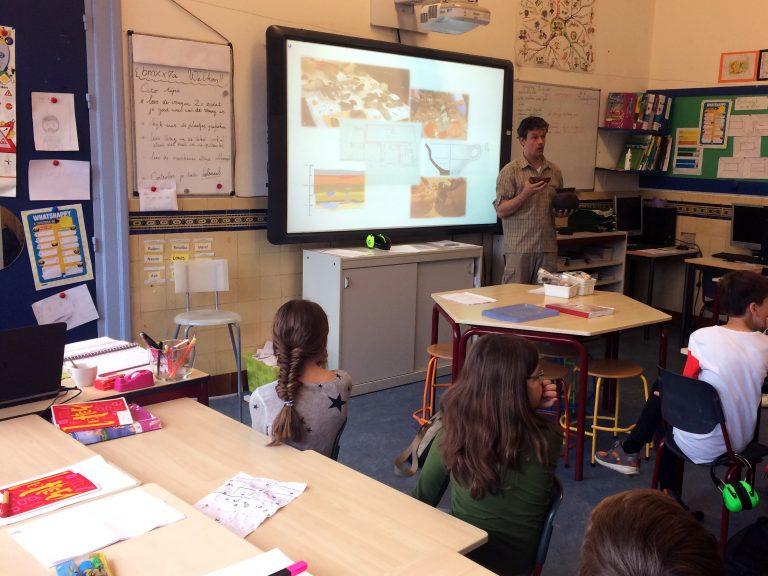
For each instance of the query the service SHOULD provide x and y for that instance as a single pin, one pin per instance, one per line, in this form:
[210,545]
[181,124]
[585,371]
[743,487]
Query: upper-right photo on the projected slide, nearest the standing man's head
[442,114]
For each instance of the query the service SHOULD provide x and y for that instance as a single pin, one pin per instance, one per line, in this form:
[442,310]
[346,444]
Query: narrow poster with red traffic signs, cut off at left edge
[7,111]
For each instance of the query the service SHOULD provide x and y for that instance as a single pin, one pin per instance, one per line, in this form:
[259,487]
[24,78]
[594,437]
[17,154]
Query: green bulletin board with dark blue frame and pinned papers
[735,161]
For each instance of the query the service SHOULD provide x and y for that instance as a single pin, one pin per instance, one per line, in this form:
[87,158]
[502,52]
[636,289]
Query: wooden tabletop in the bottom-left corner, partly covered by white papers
[194,545]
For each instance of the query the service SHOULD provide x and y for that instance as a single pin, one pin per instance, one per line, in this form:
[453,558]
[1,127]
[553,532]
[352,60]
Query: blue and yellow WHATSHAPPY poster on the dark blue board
[58,250]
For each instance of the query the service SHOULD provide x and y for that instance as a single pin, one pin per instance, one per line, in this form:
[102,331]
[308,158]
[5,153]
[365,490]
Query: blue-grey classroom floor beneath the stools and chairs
[380,426]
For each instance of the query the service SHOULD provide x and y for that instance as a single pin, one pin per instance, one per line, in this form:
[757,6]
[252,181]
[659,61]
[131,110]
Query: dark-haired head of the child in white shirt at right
[744,295]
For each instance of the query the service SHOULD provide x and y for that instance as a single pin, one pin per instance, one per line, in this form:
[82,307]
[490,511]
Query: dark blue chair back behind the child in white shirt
[688,404]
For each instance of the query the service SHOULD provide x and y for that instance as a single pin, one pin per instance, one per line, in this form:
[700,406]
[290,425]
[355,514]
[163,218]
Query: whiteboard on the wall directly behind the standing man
[572,114]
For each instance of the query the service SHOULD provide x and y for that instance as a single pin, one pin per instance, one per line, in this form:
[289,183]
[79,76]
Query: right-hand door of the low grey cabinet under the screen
[437,277]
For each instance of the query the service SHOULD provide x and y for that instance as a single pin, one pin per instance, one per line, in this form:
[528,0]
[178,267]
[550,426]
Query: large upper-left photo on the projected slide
[332,91]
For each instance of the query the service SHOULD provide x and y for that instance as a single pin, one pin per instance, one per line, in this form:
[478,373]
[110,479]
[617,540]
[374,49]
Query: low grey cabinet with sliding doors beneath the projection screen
[379,306]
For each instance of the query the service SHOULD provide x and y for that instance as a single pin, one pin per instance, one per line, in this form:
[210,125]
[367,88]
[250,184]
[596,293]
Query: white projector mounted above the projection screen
[445,16]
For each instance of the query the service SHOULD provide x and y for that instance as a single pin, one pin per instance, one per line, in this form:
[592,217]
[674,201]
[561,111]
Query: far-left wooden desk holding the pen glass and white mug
[196,386]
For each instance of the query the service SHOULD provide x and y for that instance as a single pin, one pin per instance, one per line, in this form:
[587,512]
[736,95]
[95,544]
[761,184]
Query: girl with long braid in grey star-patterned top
[307,405]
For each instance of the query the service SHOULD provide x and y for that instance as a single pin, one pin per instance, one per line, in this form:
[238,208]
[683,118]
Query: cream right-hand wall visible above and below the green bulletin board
[687,40]
